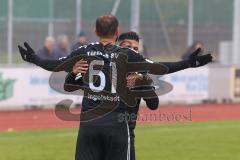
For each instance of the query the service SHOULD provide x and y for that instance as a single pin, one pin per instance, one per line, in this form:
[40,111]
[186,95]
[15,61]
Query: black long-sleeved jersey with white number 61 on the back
[109,54]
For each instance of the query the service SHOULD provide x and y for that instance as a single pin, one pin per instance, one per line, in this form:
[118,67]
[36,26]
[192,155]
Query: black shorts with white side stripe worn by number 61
[103,142]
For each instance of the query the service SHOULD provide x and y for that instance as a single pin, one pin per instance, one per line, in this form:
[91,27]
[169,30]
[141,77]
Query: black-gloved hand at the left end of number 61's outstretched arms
[27,53]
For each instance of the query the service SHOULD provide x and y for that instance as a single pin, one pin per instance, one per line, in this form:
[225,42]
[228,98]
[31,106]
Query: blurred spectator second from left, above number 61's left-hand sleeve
[62,47]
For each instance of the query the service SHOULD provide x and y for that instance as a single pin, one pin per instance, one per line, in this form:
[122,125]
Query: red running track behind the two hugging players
[40,119]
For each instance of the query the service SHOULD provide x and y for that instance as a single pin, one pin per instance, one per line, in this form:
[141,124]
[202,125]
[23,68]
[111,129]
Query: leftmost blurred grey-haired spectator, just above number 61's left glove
[47,51]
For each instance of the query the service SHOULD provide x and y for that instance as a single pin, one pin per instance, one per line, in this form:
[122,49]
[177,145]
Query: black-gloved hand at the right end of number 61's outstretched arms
[196,60]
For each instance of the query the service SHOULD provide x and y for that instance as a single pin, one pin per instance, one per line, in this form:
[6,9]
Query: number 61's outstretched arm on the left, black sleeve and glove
[30,56]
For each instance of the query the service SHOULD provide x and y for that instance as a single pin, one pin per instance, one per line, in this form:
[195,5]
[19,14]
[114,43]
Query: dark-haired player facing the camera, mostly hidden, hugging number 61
[129,40]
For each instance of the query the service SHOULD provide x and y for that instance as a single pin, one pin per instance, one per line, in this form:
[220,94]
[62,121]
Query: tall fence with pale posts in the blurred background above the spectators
[164,24]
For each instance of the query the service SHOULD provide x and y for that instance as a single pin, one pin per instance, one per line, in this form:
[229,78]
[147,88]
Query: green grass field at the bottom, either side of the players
[183,141]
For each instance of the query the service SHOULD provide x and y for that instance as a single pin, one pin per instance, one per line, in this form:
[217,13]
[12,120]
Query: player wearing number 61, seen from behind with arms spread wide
[105,138]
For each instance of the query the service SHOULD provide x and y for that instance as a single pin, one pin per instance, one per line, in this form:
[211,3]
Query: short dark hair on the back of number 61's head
[106,25]
